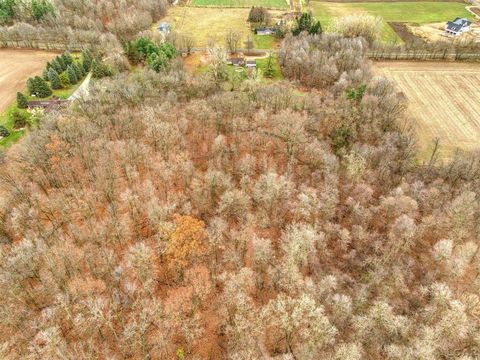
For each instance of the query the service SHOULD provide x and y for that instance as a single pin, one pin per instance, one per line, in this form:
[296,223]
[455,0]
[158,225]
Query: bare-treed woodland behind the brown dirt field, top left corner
[67,24]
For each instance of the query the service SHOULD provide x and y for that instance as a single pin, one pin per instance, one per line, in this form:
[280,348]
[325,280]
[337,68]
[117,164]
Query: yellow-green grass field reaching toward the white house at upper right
[421,12]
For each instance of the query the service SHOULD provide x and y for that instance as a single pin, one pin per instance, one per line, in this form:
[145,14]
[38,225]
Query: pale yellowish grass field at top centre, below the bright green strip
[210,23]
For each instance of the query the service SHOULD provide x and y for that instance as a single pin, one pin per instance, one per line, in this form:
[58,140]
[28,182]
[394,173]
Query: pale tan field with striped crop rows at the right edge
[444,101]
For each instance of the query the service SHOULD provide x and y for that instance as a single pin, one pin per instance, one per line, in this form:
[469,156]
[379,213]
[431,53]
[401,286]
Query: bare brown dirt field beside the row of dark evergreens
[16,66]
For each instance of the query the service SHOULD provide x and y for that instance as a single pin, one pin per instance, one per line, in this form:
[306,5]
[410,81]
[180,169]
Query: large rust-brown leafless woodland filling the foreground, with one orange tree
[172,216]
